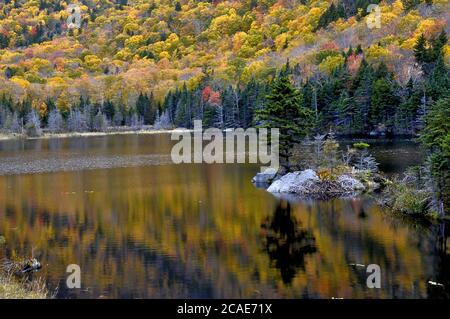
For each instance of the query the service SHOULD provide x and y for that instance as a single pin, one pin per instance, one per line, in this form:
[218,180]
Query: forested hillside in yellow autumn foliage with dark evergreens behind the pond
[142,61]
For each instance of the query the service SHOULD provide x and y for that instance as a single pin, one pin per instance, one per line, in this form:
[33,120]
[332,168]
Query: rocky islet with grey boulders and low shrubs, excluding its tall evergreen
[331,173]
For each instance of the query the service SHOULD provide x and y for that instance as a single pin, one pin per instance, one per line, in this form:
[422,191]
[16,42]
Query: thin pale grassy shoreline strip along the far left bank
[15,136]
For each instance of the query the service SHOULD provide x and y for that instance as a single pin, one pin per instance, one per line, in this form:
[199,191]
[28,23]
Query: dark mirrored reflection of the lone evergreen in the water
[286,242]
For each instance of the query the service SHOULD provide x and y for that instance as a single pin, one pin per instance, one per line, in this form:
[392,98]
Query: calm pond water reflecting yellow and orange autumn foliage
[141,227]
